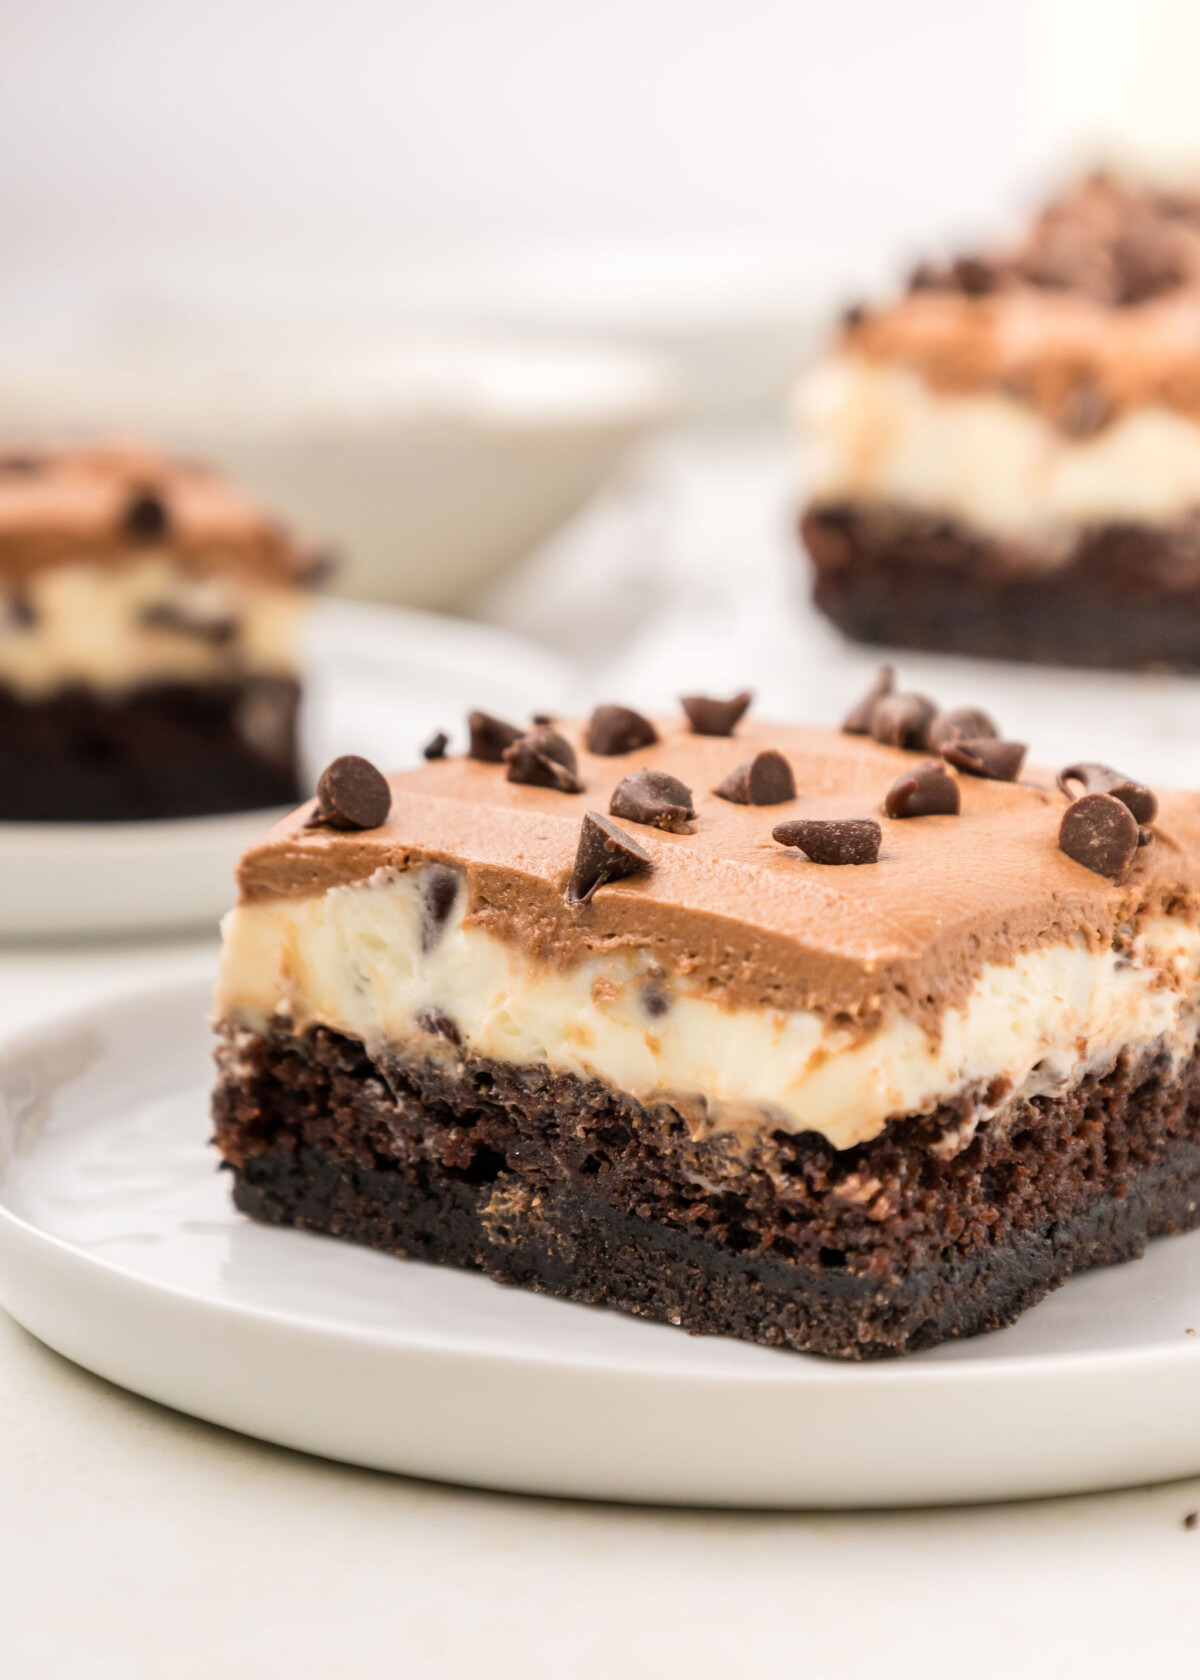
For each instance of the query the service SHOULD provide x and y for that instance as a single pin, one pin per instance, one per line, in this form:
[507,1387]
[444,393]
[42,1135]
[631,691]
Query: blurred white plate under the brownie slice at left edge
[379,681]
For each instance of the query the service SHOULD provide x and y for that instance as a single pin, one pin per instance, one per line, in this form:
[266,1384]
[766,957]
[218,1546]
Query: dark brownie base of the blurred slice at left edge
[172,750]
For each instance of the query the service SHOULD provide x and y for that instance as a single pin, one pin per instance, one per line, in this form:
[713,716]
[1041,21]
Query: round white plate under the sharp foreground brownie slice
[120,1247]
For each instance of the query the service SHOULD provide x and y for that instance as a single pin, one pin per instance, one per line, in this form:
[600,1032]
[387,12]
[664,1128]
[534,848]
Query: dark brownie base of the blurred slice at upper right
[1127,596]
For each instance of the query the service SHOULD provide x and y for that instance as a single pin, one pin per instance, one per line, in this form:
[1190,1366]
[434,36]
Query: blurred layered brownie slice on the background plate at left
[149,622]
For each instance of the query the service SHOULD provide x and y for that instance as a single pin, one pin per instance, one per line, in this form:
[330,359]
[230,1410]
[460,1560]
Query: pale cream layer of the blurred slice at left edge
[115,627]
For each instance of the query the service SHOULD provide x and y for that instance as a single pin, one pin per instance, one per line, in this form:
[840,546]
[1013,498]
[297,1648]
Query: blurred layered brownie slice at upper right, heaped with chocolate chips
[1006,461]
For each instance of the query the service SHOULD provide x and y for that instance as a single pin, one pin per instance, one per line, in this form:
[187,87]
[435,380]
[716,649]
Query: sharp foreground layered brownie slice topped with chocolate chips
[836,1042]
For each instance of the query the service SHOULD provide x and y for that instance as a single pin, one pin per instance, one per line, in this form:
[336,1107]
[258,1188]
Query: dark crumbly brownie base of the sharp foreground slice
[564,1187]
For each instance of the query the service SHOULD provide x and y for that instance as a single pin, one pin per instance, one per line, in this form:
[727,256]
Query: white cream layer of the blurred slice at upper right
[878,433]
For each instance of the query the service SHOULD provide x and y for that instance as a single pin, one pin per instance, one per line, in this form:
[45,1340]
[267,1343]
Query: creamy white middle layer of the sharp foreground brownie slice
[354,960]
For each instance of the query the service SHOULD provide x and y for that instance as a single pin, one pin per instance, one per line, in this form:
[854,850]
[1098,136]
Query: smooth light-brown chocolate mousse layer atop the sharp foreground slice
[727,905]
